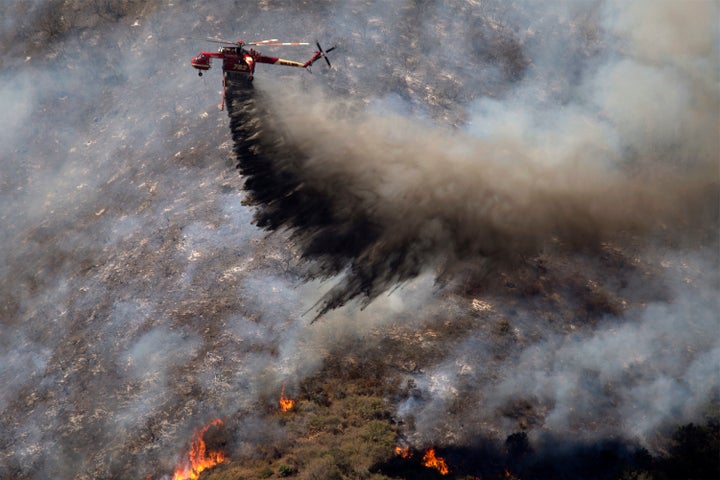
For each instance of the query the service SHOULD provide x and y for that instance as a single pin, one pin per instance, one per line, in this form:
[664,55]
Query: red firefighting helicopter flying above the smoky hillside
[237,59]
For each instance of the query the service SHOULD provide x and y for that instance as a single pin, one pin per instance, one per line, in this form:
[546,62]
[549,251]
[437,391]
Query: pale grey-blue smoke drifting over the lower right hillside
[654,366]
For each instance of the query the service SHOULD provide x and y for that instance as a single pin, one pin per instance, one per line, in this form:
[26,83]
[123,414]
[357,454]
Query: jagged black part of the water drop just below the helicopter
[268,162]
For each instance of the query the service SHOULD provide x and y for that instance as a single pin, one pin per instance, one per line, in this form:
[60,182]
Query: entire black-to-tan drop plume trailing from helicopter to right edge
[383,199]
